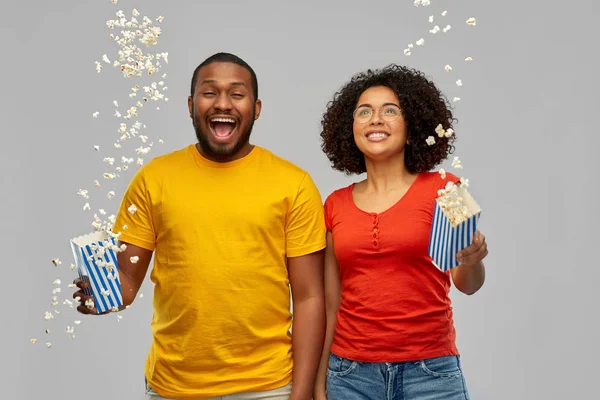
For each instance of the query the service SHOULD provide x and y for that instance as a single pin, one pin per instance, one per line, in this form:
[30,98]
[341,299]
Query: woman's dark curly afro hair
[423,106]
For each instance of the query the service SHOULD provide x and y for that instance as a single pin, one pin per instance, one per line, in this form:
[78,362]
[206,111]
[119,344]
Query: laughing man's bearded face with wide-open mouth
[223,111]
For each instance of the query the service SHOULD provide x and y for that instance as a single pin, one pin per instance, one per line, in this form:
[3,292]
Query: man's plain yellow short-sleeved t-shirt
[221,233]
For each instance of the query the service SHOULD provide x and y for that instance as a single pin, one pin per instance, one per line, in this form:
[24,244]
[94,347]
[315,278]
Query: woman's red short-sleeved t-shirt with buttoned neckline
[395,305]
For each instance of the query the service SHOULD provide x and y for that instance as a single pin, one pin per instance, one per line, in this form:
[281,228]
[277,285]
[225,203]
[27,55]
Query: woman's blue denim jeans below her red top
[438,378]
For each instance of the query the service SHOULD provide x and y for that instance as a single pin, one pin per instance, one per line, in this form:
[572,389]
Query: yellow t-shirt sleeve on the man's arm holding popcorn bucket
[134,218]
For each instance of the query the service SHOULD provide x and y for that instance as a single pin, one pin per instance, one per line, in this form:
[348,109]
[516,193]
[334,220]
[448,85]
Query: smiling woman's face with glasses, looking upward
[379,126]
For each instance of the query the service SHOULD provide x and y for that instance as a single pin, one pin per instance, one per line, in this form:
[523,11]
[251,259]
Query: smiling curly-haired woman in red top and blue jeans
[390,331]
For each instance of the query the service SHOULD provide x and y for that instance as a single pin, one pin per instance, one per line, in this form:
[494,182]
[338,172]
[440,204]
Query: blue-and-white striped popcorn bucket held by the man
[96,264]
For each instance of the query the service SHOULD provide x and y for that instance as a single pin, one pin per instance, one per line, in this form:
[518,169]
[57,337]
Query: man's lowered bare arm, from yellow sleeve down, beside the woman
[308,327]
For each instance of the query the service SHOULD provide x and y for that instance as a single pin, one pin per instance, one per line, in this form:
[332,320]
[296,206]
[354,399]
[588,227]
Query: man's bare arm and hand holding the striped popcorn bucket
[131,276]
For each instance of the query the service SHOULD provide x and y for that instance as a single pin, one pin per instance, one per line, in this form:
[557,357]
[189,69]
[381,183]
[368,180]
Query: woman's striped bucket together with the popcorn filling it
[455,220]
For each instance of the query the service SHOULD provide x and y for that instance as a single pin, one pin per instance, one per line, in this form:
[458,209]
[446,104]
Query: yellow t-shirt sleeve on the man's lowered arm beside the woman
[304,227]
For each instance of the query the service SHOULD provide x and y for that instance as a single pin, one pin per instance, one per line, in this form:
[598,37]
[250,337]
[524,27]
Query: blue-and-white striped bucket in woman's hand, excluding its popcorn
[446,239]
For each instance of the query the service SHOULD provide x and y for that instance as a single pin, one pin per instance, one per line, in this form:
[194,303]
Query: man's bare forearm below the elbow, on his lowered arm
[308,331]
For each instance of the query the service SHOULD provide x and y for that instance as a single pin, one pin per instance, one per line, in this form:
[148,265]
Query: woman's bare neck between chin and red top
[387,175]
